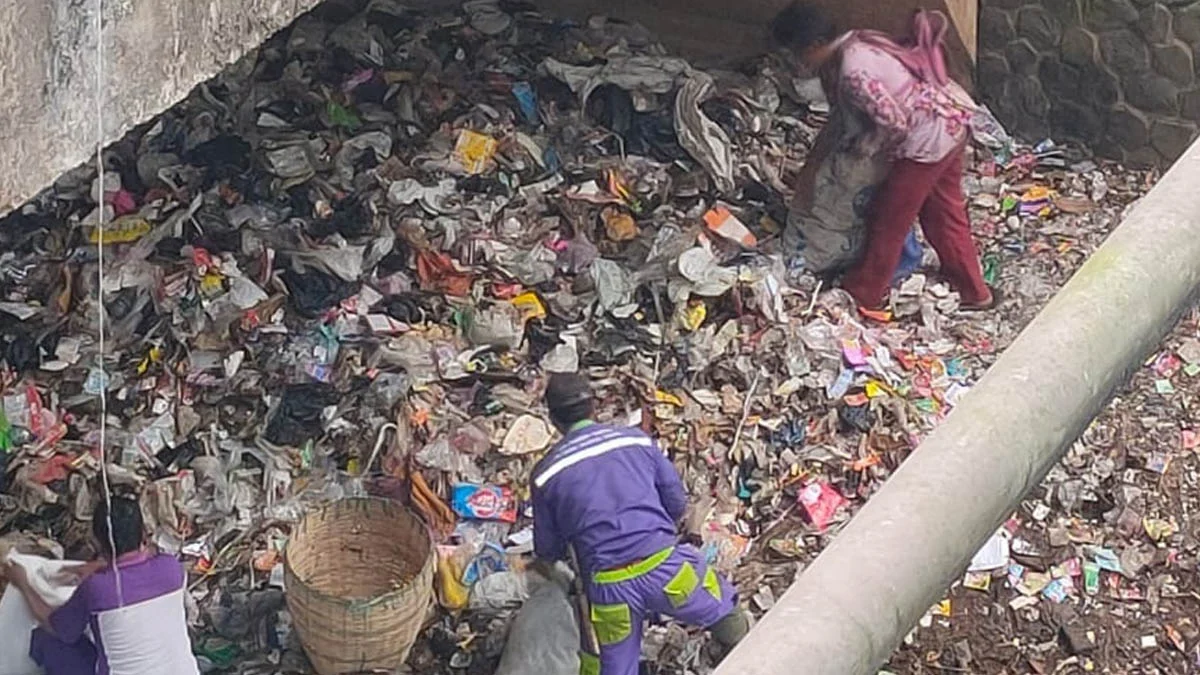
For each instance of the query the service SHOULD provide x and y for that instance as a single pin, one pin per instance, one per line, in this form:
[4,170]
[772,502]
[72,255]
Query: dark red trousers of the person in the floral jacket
[934,193]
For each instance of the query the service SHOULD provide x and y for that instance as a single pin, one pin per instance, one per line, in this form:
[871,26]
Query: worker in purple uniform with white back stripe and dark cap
[614,499]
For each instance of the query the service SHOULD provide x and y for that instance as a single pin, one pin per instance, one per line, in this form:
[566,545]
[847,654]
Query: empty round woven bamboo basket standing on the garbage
[359,576]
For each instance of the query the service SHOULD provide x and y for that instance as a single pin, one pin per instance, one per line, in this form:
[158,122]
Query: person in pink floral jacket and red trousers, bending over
[921,118]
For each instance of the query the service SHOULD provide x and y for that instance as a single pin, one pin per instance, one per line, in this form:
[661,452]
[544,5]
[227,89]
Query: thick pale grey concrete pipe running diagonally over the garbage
[849,612]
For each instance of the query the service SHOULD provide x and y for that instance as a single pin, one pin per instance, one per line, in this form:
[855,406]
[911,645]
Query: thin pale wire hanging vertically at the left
[100,295]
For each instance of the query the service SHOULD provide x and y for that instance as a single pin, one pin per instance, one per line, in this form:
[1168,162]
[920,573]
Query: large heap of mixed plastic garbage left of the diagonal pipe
[349,264]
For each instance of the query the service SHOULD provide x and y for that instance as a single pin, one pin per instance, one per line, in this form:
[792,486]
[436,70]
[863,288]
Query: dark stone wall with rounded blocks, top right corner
[1117,75]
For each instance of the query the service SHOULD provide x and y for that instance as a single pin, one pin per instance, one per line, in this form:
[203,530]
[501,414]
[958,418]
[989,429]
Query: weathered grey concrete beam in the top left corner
[155,51]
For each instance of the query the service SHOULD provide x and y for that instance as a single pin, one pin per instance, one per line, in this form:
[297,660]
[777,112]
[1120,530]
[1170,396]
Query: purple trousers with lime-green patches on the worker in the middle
[674,583]
